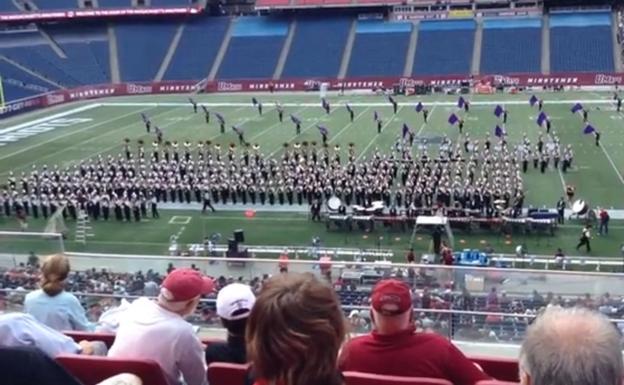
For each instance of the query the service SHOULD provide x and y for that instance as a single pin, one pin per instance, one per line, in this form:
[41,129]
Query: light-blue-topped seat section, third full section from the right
[444,47]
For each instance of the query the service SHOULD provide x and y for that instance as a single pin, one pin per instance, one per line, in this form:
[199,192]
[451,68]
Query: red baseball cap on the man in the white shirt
[185,284]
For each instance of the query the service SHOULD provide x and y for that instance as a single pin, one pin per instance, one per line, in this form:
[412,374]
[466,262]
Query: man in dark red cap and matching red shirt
[395,348]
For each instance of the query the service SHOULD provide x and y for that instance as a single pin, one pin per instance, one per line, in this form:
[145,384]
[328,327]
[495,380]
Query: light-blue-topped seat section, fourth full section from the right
[379,49]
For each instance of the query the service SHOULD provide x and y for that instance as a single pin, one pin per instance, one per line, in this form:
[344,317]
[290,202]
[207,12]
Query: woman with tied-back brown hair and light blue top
[52,305]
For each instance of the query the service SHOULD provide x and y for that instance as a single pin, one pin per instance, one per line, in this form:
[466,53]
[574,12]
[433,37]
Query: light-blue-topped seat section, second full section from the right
[511,46]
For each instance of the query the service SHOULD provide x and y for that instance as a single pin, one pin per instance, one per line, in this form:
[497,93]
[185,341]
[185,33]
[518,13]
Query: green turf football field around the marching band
[99,127]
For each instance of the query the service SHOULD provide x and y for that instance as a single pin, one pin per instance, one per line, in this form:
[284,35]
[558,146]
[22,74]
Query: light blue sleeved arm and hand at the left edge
[22,330]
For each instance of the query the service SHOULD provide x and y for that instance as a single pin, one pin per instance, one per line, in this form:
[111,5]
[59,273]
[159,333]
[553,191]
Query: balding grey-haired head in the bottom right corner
[571,347]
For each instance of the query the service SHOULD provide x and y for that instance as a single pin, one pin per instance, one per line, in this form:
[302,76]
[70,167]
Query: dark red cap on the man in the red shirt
[391,297]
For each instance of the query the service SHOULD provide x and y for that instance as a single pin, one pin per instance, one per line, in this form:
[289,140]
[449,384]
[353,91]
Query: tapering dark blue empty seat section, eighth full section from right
[142,48]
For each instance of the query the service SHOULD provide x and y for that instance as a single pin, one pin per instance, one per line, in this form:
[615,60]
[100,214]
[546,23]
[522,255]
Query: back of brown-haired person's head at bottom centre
[295,331]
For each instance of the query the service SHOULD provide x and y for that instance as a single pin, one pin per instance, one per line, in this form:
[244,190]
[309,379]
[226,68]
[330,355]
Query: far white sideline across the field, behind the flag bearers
[360,104]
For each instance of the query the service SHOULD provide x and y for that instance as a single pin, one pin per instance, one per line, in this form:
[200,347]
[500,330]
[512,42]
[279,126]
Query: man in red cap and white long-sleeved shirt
[157,330]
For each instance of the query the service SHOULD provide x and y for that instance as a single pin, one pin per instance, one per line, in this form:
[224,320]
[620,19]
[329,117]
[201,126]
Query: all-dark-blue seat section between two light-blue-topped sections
[317,47]
